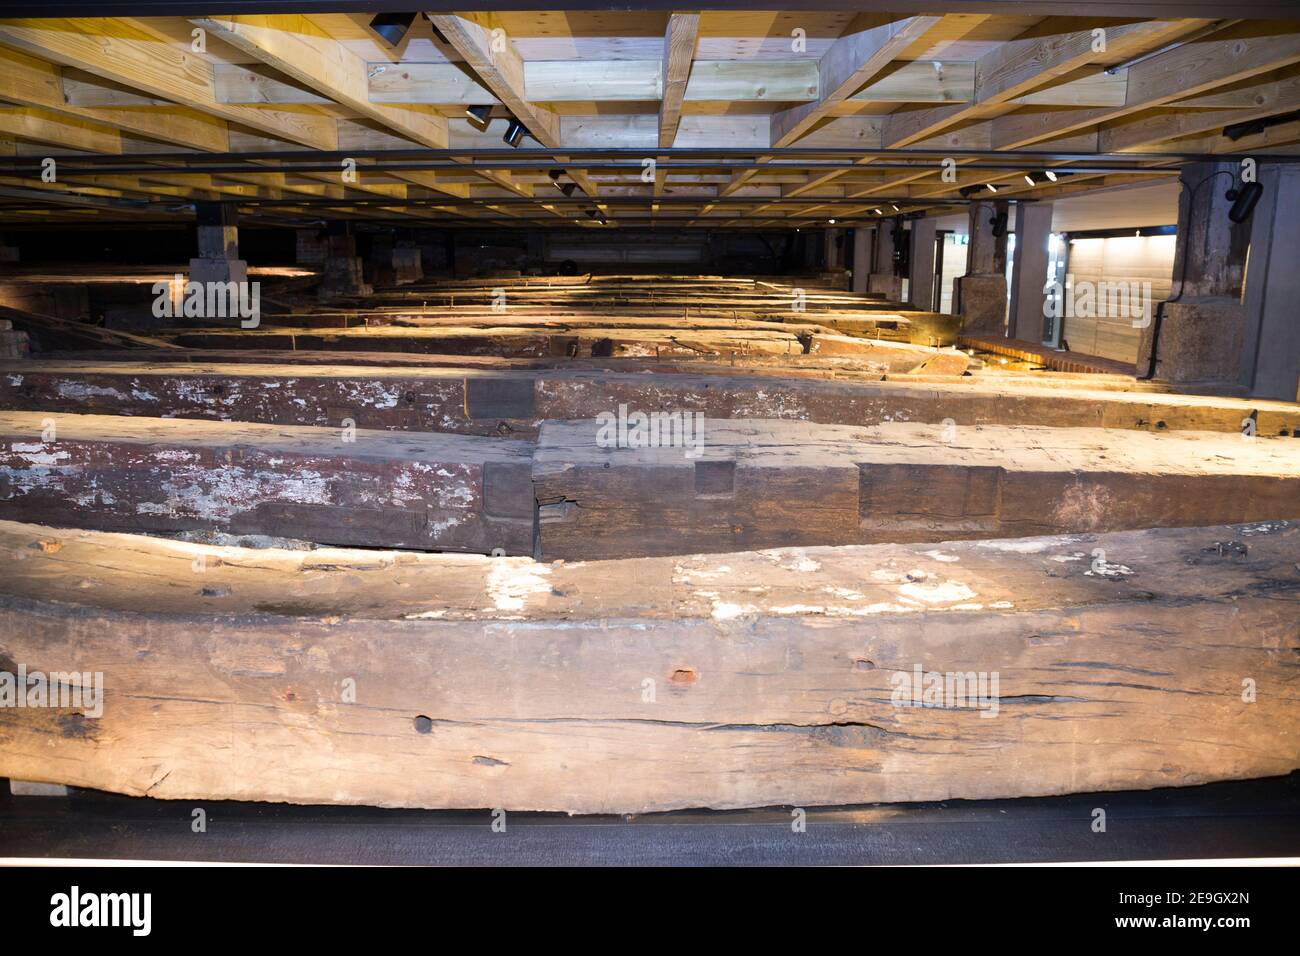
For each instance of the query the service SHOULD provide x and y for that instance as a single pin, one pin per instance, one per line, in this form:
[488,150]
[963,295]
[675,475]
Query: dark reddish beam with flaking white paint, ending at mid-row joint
[335,486]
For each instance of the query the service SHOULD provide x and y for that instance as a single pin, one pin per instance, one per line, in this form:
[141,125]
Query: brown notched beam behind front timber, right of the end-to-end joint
[721,486]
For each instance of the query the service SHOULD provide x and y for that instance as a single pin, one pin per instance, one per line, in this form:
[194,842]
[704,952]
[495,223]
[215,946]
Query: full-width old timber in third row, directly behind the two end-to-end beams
[483,401]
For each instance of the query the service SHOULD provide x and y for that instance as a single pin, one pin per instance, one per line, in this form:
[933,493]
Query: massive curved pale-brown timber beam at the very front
[653,685]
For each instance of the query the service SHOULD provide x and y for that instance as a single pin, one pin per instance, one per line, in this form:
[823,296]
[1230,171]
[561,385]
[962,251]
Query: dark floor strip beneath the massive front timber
[1256,819]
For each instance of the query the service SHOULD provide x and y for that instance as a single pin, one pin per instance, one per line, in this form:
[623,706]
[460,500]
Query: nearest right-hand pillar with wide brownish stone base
[1199,335]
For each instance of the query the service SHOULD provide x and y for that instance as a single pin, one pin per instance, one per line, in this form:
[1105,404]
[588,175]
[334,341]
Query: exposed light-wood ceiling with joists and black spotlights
[141,119]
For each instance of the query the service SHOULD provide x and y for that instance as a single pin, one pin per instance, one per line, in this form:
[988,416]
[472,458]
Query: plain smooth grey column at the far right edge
[1271,345]
